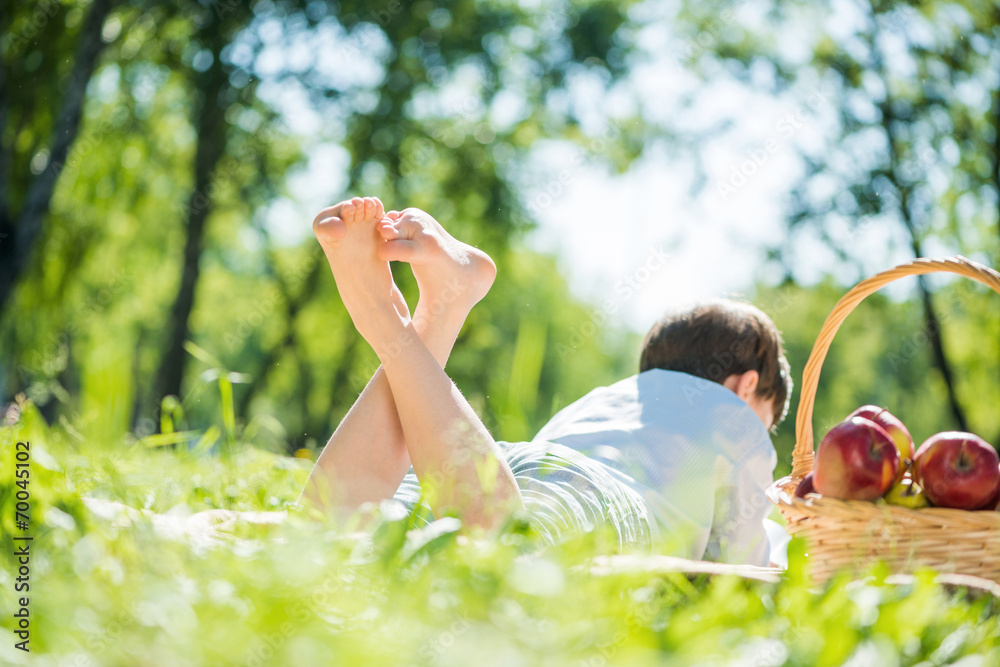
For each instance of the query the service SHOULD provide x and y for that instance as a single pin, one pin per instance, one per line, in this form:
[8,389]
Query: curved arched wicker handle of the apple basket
[802,455]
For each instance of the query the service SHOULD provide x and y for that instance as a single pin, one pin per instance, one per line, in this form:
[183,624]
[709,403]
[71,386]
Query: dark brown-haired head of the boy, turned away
[729,342]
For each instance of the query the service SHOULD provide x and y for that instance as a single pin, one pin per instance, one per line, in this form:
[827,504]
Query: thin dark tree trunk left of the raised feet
[211,130]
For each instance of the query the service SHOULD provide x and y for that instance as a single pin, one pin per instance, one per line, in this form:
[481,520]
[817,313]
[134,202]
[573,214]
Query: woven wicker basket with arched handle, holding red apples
[851,534]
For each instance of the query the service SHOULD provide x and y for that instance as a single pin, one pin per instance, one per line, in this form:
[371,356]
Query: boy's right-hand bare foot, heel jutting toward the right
[451,275]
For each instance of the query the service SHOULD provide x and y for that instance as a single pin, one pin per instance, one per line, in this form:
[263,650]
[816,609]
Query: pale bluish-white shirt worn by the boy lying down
[699,457]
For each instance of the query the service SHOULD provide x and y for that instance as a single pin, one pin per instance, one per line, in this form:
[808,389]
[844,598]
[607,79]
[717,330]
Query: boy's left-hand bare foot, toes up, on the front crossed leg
[349,238]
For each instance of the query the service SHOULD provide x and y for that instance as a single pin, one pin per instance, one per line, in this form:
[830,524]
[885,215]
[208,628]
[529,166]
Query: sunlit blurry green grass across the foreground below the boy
[308,593]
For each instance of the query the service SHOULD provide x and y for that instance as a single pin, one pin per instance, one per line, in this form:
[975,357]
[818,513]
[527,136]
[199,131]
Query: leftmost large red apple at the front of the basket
[857,460]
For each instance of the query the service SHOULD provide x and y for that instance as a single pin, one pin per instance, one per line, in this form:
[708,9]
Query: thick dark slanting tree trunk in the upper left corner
[18,240]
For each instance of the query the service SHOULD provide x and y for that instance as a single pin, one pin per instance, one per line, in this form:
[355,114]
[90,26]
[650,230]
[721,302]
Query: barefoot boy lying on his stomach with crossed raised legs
[677,456]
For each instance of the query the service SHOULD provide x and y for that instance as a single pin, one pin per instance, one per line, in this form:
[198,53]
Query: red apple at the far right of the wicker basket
[958,470]
